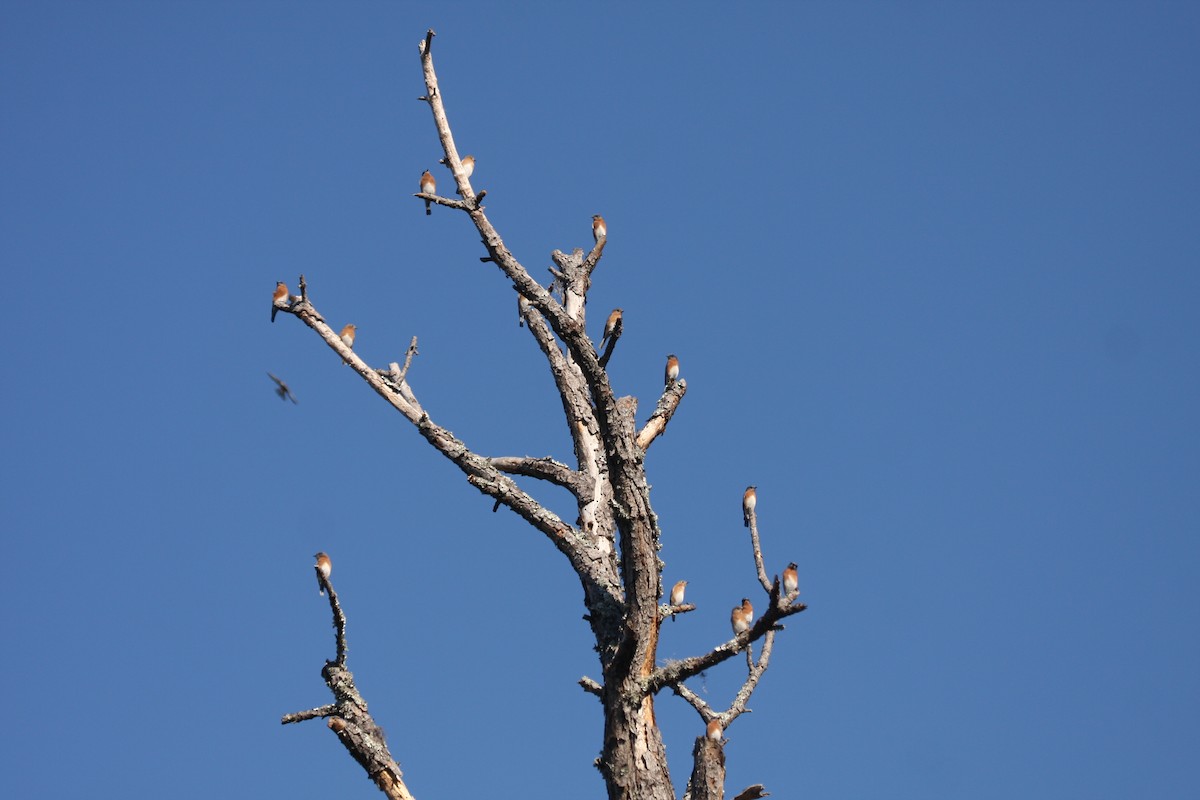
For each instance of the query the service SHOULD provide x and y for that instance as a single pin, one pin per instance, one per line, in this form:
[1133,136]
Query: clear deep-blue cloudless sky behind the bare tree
[932,272]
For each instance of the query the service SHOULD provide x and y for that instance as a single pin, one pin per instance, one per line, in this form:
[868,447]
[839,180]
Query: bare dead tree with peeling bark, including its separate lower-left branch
[613,545]
